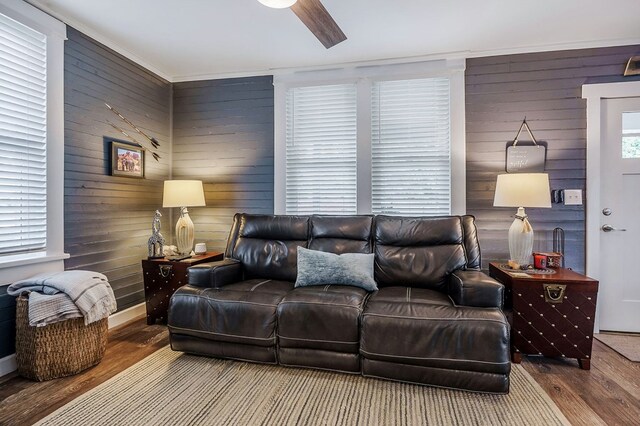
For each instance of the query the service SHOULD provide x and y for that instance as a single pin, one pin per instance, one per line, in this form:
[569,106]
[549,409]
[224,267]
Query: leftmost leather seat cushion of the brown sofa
[244,312]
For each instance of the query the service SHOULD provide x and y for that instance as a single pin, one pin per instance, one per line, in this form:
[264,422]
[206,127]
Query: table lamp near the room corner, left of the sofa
[183,194]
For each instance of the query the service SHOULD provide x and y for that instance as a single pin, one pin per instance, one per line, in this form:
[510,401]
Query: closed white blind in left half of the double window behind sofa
[321,150]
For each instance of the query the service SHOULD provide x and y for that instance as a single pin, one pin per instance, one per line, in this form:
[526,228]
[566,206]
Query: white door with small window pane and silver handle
[619,291]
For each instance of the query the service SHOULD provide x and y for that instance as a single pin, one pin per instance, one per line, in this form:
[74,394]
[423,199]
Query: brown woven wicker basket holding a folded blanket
[59,349]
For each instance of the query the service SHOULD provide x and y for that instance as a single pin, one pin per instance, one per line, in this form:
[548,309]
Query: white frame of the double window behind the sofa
[363,76]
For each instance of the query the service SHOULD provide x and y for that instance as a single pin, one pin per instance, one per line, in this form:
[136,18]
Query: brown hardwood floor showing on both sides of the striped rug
[608,394]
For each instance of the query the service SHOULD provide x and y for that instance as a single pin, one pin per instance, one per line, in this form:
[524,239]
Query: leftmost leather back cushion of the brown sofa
[267,245]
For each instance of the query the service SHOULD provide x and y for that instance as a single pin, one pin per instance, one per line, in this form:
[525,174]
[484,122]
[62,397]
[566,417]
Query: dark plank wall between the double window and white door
[547,89]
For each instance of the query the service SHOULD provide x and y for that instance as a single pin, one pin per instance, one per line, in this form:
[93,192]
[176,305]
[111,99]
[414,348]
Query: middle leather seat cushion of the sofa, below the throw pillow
[321,317]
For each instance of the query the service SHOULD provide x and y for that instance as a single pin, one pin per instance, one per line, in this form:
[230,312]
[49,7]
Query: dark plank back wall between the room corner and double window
[223,135]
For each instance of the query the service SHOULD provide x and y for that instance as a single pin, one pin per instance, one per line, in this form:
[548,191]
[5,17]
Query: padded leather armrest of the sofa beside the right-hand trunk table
[475,288]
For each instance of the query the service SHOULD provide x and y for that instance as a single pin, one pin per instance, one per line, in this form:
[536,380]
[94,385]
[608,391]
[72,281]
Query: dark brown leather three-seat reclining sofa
[435,320]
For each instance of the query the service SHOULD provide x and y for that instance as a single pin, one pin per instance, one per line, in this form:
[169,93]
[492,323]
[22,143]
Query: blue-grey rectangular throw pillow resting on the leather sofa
[322,268]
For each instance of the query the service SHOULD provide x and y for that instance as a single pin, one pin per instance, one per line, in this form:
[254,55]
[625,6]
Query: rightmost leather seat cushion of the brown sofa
[422,327]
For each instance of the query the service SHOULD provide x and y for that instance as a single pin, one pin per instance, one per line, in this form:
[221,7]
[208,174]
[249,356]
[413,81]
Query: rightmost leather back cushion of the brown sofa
[418,251]
